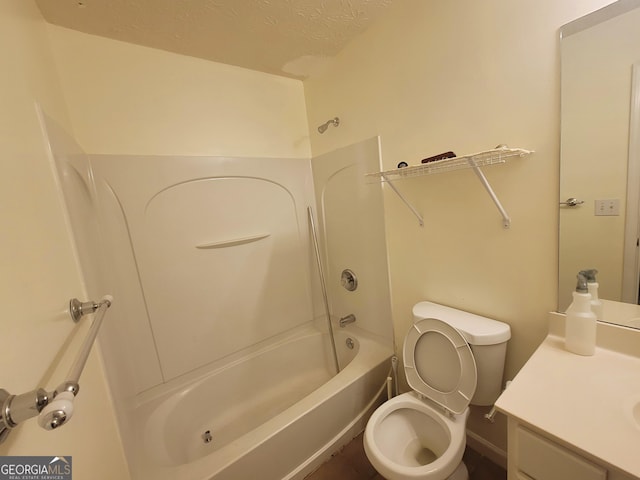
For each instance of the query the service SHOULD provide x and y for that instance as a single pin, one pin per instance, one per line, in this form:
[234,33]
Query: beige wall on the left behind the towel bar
[39,273]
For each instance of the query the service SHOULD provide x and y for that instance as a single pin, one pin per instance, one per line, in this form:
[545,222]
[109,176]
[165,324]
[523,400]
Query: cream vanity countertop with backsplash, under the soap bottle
[584,402]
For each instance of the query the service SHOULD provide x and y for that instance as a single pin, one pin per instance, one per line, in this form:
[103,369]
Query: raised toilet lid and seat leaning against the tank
[439,364]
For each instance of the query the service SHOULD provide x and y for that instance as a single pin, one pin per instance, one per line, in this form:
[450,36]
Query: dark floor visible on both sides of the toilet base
[351,464]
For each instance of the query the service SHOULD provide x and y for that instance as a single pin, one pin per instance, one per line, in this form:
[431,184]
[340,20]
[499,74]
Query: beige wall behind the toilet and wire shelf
[464,76]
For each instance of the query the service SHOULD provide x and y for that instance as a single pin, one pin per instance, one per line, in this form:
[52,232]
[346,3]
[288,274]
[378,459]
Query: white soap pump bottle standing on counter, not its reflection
[580,328]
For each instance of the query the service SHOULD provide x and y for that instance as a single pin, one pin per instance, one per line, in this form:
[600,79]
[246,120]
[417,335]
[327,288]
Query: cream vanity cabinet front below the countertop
[534,456]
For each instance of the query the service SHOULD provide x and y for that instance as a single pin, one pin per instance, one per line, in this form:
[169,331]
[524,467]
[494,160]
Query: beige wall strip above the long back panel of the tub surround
[127,99]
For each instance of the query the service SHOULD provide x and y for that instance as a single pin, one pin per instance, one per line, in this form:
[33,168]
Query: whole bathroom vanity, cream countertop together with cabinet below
[573,417]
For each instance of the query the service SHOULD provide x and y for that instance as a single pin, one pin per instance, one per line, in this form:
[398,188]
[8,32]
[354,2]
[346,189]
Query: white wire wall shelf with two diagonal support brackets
[474,161]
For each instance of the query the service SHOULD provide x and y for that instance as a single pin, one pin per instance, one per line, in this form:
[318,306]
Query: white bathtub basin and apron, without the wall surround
[275,414]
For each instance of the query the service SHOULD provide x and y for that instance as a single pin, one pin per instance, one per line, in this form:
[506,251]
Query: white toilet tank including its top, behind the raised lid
[487,339]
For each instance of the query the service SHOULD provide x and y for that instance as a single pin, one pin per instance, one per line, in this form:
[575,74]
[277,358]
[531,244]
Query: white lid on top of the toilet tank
[477,330]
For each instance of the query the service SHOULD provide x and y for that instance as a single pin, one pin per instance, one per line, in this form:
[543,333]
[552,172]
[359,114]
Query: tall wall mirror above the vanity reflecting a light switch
[600,157]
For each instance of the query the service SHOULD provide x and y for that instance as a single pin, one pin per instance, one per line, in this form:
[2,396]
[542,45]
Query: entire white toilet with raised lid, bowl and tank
[451,359]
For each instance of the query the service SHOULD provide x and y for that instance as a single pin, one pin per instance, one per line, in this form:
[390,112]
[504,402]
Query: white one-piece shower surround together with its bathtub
[218,353]
